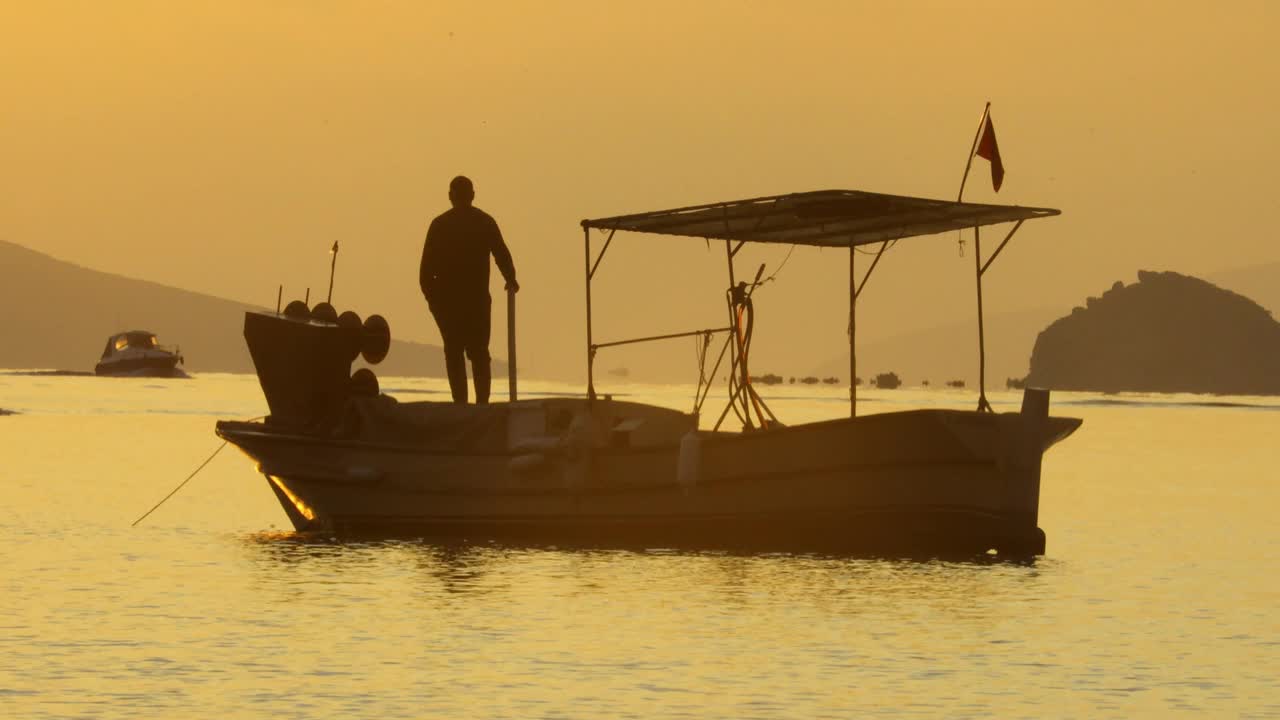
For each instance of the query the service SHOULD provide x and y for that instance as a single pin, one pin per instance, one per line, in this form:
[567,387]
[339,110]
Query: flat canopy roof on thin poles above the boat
[826,218]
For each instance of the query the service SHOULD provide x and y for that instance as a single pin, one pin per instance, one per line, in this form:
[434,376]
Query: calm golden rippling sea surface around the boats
[1159,595]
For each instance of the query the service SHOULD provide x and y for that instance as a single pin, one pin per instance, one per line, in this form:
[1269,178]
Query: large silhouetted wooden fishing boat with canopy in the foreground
[600,471]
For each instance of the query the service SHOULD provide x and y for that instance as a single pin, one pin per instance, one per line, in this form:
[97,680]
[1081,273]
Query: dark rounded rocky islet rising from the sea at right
[1165,334]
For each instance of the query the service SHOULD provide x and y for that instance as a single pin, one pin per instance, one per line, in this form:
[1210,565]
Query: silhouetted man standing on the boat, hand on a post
[455,280]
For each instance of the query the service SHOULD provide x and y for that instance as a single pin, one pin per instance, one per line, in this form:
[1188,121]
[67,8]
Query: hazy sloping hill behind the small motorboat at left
[58,316]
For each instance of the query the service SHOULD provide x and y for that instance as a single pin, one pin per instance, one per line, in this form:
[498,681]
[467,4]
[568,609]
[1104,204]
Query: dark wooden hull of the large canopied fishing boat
[929,481]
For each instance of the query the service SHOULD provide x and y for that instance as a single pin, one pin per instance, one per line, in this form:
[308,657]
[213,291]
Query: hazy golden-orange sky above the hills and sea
[223,147]
